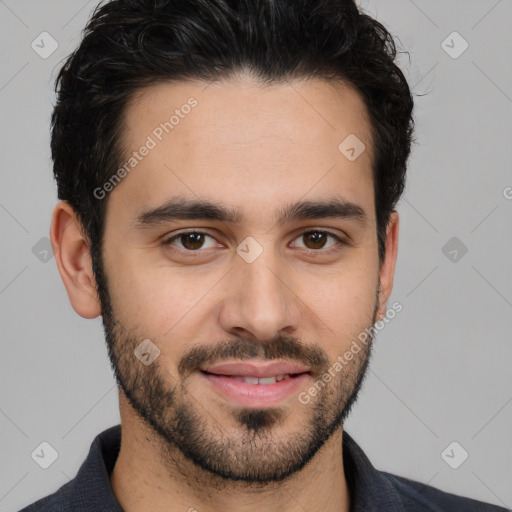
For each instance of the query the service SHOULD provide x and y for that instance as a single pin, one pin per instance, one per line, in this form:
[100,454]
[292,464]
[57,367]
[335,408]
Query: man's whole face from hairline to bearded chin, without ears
[241,246]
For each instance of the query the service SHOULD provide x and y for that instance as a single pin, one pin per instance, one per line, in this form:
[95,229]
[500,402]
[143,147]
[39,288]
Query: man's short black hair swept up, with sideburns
[128,45]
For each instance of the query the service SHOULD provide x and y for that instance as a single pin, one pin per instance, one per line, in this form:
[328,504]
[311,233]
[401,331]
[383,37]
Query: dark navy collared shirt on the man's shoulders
[370,490]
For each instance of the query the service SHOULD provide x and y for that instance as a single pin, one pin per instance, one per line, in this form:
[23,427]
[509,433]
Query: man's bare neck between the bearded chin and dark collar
[149,475]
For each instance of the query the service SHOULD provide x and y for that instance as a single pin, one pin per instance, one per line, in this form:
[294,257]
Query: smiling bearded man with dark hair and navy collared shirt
[228,172]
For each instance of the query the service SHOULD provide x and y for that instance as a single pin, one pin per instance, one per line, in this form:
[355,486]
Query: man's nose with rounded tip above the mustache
[260,300]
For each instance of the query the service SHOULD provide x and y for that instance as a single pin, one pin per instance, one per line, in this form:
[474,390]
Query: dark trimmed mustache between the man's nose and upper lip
[279,347]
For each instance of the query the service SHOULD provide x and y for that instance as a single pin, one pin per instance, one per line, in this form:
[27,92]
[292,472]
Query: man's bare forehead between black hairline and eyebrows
[246,144]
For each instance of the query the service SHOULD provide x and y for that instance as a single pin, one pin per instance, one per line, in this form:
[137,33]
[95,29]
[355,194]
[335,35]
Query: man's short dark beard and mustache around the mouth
[252,453]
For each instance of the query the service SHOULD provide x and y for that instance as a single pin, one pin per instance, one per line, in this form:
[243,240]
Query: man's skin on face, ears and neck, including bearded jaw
[255,149]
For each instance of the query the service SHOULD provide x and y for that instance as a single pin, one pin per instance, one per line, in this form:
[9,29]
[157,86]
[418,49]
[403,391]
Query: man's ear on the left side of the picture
[72,254]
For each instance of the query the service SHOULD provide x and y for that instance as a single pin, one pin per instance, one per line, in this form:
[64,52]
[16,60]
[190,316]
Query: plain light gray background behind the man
[441,369]
